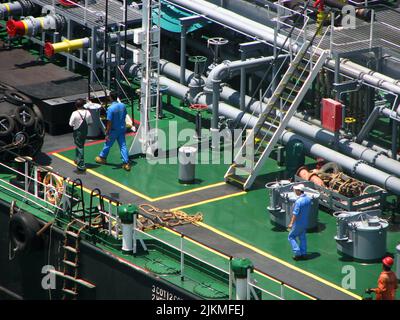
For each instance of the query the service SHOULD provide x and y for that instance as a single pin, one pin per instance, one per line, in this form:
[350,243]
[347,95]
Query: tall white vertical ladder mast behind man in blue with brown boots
[150,86]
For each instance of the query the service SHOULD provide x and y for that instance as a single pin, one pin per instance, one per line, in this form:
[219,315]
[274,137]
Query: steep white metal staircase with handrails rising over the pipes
[274,117]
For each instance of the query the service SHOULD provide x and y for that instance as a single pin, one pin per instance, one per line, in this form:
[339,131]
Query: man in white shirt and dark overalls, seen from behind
[79,121]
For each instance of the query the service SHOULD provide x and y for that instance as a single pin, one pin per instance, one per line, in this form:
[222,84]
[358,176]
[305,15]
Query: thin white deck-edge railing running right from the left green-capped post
[183,252]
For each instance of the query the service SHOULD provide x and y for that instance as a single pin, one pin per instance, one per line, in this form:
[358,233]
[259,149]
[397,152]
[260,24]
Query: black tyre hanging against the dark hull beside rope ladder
[22,232]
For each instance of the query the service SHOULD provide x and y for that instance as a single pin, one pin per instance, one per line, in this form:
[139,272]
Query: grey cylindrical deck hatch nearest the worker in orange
[361,235]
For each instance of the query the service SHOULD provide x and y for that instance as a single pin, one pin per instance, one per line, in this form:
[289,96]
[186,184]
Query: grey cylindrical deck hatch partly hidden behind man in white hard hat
[282,199]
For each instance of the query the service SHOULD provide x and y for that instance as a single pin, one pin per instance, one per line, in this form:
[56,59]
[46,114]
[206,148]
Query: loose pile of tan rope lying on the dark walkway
[157,218]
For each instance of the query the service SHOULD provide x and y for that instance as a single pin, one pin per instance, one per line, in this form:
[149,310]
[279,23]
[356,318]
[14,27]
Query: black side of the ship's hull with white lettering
[114,278]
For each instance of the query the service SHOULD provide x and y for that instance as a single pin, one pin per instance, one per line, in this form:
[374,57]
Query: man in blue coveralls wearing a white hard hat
[299,222]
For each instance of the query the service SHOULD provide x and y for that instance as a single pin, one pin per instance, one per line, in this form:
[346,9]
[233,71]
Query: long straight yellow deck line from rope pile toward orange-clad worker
[265,254]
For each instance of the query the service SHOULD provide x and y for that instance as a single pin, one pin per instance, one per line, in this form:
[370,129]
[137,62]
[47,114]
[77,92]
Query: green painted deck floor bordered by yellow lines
[243,217]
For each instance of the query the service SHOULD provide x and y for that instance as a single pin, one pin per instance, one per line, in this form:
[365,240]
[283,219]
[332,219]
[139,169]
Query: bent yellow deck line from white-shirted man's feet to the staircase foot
[147,198]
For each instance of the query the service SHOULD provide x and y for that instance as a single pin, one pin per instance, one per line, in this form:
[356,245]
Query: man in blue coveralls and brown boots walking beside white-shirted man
[115,130]
